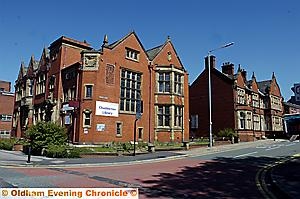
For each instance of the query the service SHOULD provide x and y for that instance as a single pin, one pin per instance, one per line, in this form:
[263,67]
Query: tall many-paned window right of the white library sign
[130,90]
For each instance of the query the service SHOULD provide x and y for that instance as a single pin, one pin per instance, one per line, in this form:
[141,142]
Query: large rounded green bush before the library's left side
[44,134]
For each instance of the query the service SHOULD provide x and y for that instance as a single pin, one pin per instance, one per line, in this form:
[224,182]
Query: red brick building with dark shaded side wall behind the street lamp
[252,109]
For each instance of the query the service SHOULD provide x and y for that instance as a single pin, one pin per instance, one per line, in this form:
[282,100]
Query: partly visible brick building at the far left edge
[6,109]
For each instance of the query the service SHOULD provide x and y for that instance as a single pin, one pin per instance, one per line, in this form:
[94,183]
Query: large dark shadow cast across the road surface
[218,178]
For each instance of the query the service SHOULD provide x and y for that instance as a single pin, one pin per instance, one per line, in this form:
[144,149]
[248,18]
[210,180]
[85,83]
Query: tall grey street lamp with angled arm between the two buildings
[209,90]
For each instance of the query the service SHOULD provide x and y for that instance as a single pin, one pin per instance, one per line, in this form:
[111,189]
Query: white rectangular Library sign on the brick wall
[107,109]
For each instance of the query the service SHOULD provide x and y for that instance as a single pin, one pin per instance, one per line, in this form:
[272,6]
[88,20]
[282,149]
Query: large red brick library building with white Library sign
[97,94]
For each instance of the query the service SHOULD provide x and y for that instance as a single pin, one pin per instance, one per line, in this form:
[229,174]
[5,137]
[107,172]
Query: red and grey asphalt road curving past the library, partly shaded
[222,172]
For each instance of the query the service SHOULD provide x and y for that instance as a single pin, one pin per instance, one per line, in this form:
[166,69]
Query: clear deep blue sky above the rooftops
[266,33]
